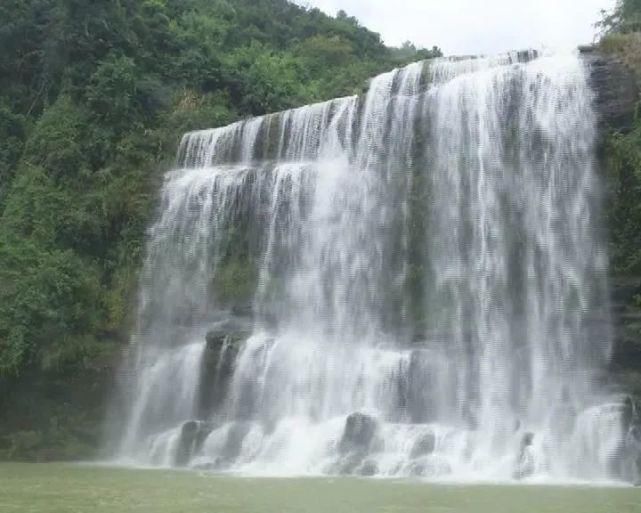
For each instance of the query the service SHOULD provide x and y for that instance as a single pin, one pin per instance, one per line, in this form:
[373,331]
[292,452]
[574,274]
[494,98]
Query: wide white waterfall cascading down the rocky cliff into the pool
[427,282]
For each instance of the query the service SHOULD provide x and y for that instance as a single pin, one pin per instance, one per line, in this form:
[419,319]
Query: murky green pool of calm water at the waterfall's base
[59,488]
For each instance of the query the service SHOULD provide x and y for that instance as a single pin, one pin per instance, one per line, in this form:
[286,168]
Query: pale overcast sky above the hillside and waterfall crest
[462,27]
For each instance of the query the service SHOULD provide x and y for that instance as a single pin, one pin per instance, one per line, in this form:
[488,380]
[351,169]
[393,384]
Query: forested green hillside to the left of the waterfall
[94,97]
